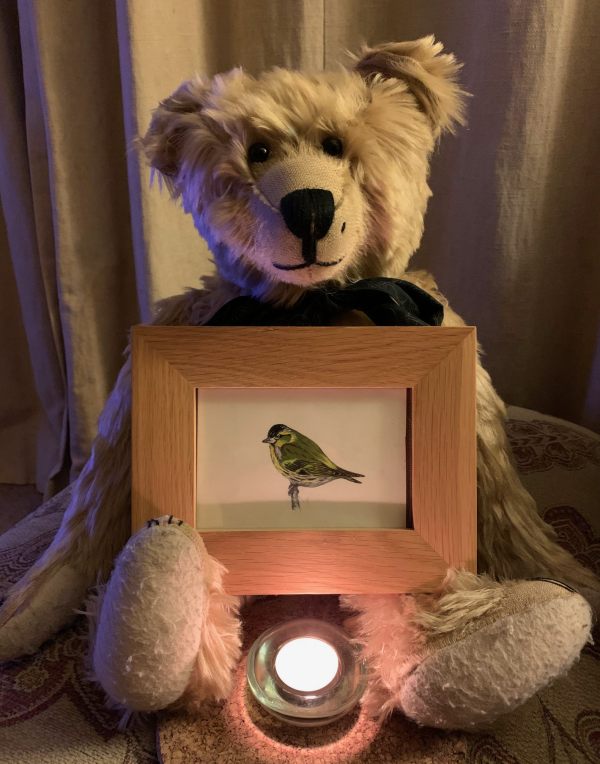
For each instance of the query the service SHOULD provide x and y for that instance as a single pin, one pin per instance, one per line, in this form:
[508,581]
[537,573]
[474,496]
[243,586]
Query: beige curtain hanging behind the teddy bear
[86,247]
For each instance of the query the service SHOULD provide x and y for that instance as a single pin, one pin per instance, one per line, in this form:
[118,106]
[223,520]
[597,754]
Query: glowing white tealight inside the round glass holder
[307,664]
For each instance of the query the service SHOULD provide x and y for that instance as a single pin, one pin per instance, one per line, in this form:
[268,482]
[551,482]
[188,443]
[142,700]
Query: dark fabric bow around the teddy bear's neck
[387,302]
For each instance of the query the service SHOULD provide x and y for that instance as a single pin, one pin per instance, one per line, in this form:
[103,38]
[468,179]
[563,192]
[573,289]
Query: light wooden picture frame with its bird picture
[311,459]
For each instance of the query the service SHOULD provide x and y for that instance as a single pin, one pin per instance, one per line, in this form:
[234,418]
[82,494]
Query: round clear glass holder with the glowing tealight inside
[306,672]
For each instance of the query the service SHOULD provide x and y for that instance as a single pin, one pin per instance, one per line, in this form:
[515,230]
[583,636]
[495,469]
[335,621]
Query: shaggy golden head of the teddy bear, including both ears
[296,179]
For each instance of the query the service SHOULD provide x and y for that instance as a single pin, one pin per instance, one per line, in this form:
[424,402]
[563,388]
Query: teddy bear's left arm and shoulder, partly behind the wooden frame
[96,523]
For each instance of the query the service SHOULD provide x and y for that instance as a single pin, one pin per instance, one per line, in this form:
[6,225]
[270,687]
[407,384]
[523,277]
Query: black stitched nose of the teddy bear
[308,213]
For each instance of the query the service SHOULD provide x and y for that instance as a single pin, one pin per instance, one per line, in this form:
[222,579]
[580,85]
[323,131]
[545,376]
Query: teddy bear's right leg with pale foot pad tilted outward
[461,658]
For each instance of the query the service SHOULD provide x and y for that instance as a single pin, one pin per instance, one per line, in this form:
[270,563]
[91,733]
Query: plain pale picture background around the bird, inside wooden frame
[361,430]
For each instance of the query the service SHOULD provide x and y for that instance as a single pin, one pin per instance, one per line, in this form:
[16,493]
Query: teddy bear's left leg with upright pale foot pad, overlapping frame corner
[164,632]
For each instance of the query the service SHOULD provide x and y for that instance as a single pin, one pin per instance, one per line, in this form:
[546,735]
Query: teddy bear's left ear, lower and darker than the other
[163,142]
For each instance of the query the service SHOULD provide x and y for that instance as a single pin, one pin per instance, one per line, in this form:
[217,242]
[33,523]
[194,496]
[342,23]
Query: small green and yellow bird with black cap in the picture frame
[301,461]
